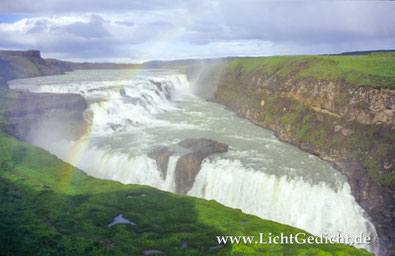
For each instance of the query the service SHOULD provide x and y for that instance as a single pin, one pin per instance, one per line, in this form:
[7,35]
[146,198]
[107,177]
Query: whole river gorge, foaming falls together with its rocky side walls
[145,119]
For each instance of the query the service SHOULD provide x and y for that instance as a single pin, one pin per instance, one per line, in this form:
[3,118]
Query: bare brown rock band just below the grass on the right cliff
[365,105]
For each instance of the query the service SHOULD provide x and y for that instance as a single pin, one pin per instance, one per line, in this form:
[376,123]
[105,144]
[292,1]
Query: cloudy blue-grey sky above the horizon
[140,30]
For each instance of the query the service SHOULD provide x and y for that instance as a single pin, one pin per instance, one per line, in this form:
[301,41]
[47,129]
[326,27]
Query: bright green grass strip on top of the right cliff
[376,69]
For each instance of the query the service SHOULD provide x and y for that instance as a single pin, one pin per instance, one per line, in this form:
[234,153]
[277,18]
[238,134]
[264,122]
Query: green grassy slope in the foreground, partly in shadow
[48,207]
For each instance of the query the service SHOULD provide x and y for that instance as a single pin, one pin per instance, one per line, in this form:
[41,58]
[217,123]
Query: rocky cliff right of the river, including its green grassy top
[335,116]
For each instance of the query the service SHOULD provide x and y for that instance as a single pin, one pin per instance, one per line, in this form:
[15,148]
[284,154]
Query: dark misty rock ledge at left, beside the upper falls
[59,111]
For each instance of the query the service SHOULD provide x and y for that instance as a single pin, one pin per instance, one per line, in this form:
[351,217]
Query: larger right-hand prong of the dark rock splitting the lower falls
[188,165]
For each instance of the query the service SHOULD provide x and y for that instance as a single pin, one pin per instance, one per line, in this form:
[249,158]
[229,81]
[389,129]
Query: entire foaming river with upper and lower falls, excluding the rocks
[131,114]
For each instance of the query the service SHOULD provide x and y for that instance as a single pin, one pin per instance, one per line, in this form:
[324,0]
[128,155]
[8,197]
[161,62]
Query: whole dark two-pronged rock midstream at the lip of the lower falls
[193,152]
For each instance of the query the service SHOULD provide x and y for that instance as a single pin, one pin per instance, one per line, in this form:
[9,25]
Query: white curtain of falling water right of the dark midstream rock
[318,208]
